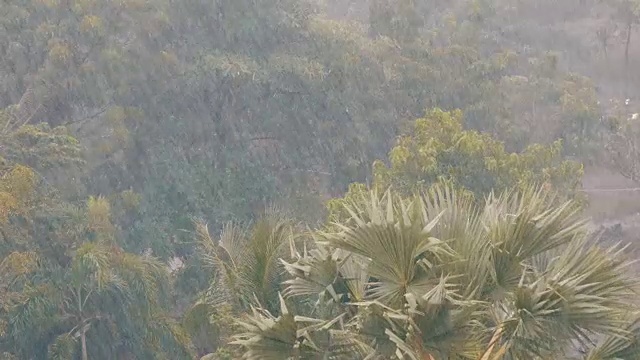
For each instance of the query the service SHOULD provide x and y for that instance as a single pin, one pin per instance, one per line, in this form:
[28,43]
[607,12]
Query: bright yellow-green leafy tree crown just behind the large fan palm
[439,149]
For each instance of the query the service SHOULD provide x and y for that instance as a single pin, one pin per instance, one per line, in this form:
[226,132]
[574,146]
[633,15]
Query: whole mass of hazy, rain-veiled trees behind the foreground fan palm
[120,121]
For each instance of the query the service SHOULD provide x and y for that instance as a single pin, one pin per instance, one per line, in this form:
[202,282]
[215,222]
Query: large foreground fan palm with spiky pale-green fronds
[439,277]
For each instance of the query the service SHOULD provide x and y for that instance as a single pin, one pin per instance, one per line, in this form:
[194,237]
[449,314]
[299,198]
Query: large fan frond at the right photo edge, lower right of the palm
[578,297]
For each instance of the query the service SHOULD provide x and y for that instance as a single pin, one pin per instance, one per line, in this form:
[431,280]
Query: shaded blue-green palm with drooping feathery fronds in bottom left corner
[106,304]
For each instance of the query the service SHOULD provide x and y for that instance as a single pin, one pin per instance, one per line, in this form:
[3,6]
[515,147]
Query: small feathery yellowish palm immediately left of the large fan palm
[246,269]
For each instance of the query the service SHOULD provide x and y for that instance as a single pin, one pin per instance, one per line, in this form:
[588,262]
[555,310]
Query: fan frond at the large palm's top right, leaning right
[521,226]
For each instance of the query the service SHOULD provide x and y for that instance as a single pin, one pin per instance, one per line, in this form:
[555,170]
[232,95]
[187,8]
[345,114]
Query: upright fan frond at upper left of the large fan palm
[397,245]
